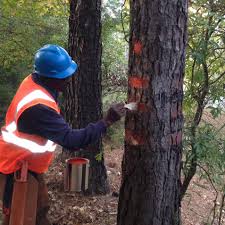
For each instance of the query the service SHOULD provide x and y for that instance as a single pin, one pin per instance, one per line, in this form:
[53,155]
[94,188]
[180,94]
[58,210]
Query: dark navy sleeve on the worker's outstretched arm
[45,122]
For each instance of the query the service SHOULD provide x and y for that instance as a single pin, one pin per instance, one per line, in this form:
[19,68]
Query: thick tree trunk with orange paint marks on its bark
[150,188]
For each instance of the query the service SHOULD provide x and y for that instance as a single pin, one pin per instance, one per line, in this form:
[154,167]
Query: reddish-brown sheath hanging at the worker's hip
[22,200]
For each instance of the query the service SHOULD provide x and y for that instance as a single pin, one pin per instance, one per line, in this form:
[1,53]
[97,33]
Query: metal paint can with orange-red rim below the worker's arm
[76,174]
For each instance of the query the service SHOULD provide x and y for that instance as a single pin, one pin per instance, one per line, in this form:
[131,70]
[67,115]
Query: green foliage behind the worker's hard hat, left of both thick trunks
[24,28]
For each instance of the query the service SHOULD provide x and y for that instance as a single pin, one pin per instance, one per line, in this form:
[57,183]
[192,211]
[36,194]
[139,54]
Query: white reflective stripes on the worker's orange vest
[9,134]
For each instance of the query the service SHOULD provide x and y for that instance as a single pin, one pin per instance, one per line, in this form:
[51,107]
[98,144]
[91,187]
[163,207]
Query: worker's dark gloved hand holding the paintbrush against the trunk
[115,112]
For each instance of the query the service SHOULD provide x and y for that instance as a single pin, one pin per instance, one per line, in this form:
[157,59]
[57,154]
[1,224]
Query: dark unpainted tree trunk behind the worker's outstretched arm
[83,99]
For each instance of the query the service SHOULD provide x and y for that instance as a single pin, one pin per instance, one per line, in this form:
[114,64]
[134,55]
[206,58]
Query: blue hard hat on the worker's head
[53,61]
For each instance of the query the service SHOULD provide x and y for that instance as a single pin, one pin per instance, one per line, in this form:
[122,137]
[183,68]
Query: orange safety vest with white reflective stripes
[15,146]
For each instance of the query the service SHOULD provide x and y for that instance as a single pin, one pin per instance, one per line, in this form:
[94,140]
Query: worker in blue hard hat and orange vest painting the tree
[34,125]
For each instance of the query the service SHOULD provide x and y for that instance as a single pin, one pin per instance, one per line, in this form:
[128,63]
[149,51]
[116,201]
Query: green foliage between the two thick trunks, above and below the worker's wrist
[114,65]
